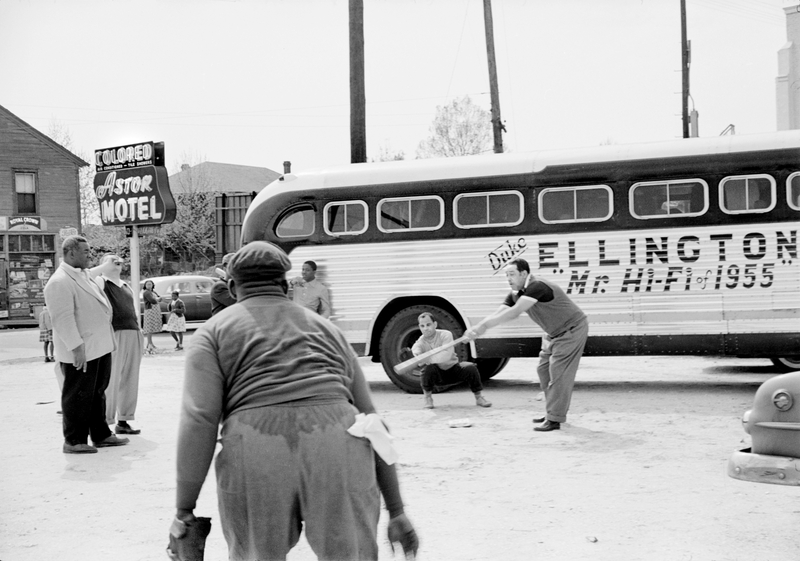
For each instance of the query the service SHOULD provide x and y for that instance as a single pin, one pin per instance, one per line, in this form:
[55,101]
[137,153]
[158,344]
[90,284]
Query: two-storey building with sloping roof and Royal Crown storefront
[39,202]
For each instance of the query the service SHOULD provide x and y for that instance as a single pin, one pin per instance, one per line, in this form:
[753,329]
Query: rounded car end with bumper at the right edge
[774,428]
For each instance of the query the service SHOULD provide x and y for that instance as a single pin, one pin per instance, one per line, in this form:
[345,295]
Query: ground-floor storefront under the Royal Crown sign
[27,260]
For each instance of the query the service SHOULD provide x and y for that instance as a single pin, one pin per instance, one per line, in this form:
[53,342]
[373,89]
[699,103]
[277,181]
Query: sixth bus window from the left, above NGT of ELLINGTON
[668,198]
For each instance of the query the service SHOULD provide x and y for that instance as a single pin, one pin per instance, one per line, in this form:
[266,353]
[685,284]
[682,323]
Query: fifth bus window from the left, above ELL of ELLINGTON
[575,204]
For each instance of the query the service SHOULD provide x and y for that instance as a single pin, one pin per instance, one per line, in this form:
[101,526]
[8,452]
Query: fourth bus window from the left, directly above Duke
[503,208]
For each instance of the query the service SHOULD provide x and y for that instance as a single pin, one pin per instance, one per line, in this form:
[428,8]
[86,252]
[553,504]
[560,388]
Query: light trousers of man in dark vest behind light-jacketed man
[122,393]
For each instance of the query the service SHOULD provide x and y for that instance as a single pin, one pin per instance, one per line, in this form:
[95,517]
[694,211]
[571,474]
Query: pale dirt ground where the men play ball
[638,472]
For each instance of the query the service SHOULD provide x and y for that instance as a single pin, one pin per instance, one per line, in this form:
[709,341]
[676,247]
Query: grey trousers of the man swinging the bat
[558,364]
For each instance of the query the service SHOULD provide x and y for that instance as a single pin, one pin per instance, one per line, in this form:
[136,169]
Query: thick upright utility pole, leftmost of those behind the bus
[358,101]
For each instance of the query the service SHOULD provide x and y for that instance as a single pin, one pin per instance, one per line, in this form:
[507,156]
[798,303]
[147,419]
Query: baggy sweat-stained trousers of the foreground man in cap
[285,466]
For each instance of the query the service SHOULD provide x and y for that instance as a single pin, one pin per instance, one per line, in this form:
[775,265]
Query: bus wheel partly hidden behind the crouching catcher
[400,334]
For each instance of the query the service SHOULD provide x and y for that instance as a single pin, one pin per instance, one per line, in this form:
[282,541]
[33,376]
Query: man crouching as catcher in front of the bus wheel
[443,367]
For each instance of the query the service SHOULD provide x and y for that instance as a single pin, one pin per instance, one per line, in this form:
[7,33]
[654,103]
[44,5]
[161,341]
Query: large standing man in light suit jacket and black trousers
[83,339]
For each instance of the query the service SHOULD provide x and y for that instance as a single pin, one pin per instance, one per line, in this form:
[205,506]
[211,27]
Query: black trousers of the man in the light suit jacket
[83,401]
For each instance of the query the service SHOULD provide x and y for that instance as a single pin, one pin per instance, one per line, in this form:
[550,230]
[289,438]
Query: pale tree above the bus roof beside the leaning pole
[460,128]
